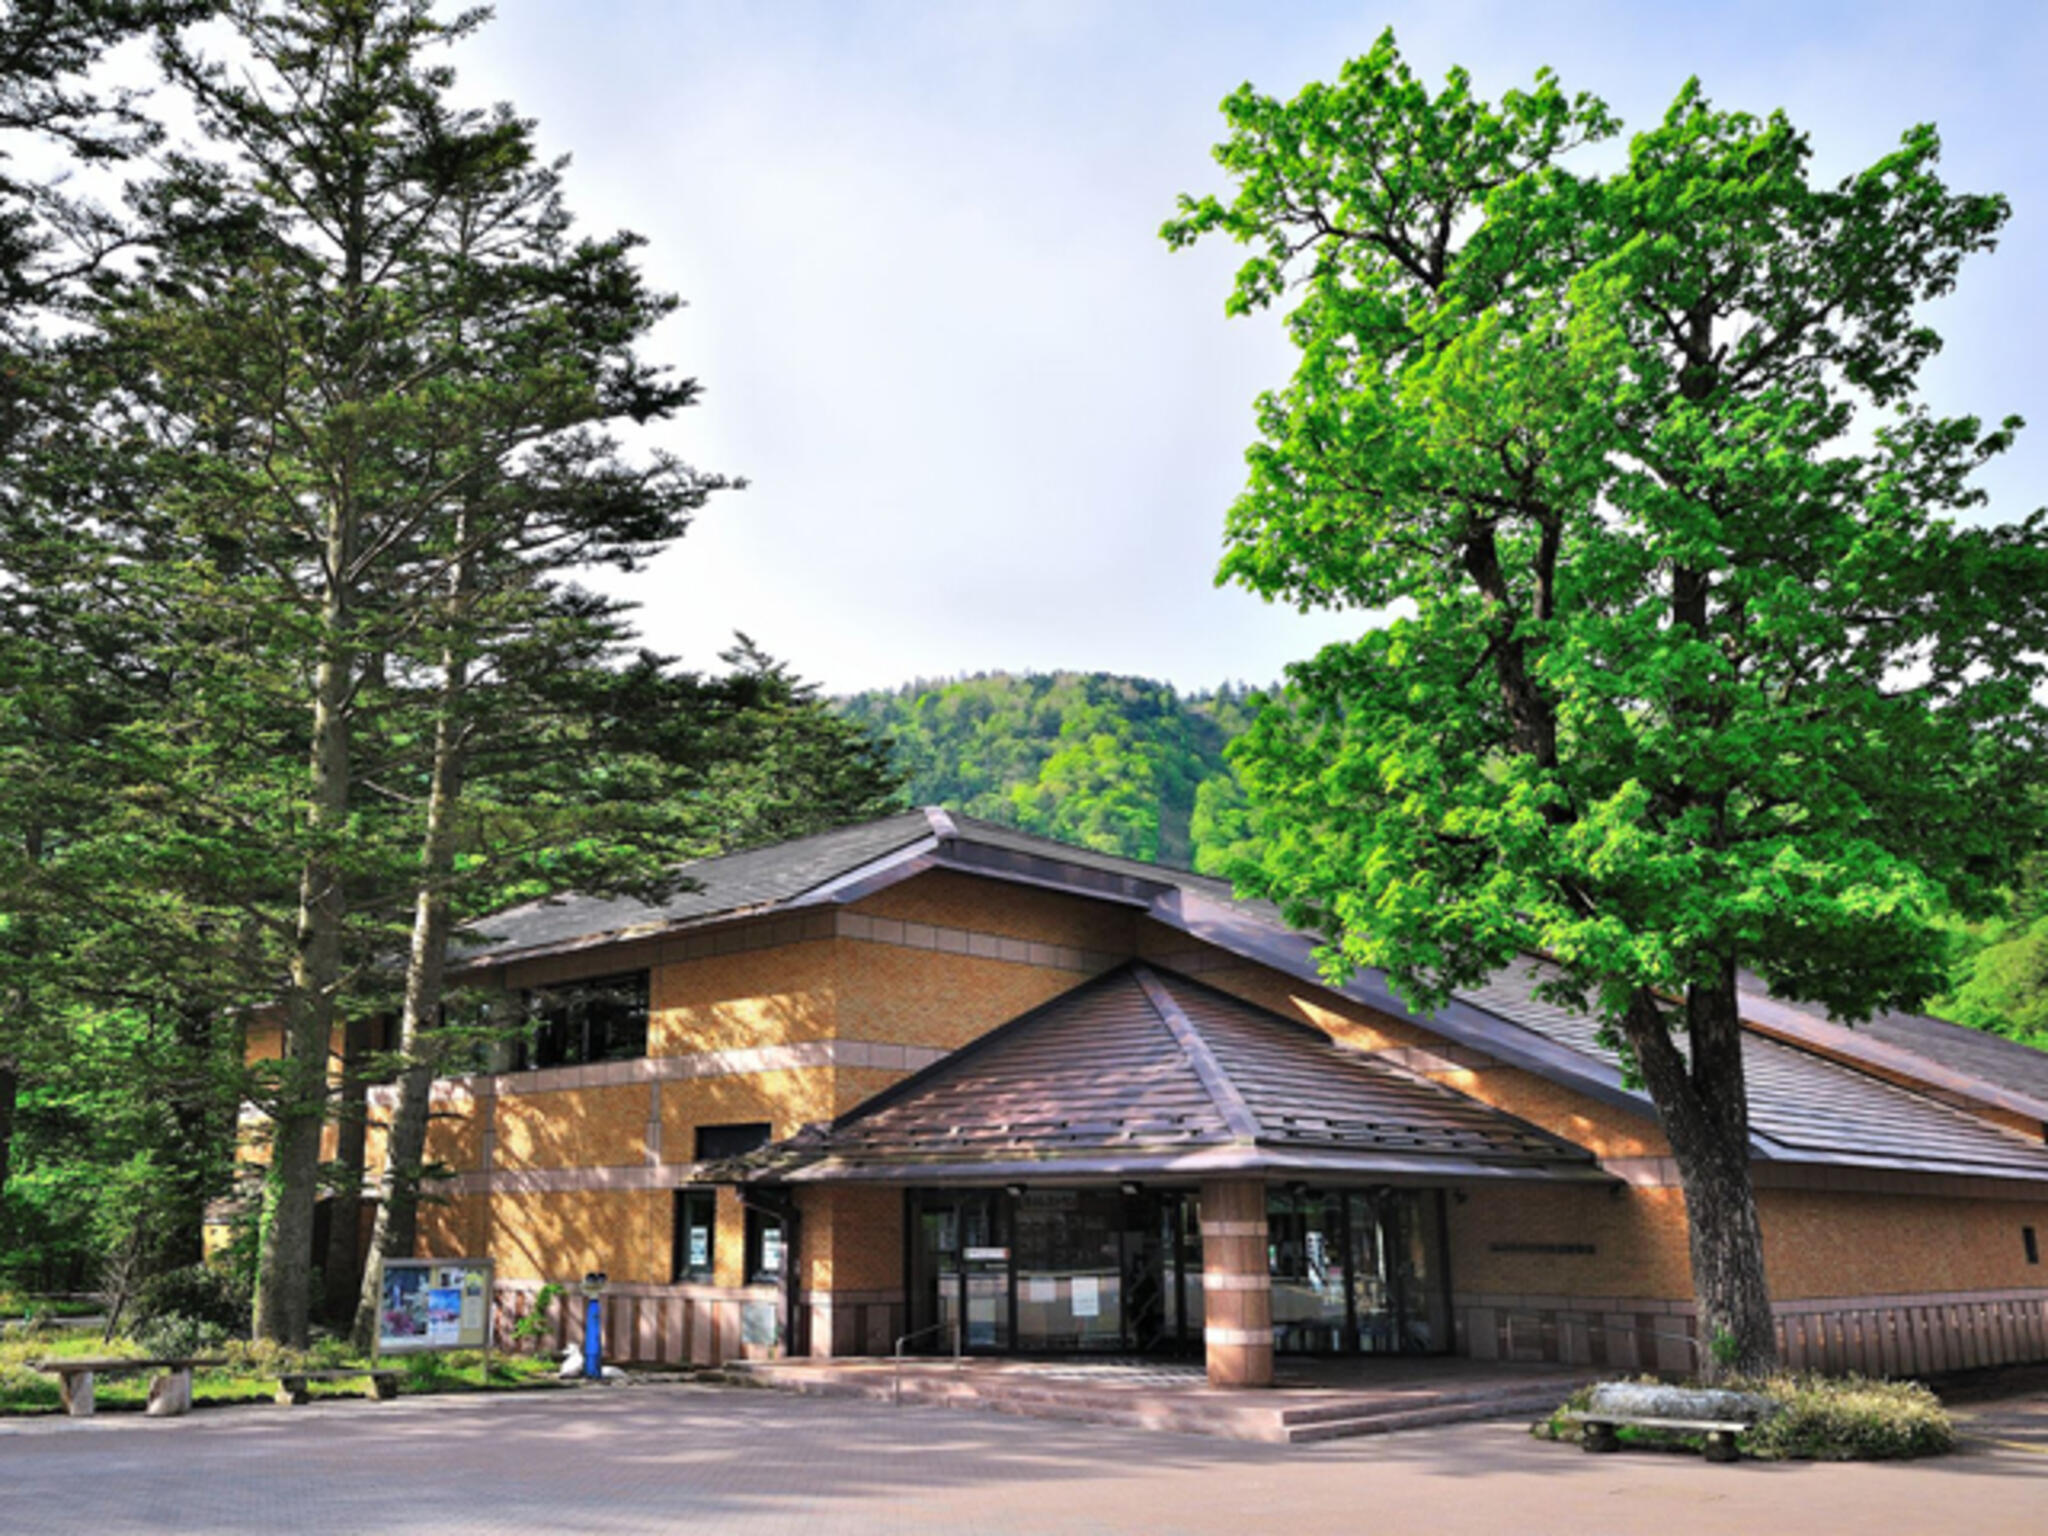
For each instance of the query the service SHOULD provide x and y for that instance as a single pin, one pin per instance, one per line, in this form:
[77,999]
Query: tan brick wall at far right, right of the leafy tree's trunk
[1836,1244]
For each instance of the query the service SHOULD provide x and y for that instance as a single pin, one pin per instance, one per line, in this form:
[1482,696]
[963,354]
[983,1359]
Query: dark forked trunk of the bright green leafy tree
[1705,1109]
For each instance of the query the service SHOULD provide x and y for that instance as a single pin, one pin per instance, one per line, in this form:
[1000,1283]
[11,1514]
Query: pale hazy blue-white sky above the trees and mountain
[988,419]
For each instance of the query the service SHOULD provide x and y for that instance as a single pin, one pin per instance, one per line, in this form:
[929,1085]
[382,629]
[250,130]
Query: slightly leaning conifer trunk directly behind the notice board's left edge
[398,1203]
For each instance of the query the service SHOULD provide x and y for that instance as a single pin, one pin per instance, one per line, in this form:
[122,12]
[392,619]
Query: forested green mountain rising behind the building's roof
[1123,765]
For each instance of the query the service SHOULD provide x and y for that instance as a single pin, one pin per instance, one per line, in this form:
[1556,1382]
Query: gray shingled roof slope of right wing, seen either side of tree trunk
[1801,1105]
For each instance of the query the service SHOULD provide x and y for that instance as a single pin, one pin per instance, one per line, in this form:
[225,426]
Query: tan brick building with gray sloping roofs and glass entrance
[931,1076]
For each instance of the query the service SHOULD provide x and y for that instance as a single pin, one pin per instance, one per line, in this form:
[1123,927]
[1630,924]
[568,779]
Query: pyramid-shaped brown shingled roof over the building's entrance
[1148,1074]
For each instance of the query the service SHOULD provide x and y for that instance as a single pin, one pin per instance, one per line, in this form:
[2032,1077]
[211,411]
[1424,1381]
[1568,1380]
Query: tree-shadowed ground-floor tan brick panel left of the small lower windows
[566,1236]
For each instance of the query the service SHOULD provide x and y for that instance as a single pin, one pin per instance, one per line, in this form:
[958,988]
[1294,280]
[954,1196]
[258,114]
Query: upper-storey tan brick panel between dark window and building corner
[728,1002]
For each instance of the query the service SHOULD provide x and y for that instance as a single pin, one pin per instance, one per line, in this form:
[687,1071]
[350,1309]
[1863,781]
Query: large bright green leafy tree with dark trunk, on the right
[1695,665]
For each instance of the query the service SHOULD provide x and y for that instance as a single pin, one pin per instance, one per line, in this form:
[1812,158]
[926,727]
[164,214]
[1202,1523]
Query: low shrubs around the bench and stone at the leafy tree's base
[1818,1420]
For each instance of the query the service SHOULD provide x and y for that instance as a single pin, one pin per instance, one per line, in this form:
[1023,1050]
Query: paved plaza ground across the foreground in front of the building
[699,1459]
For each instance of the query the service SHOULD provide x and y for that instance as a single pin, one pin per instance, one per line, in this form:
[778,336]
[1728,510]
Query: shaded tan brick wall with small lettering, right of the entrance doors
[1637,1236]
